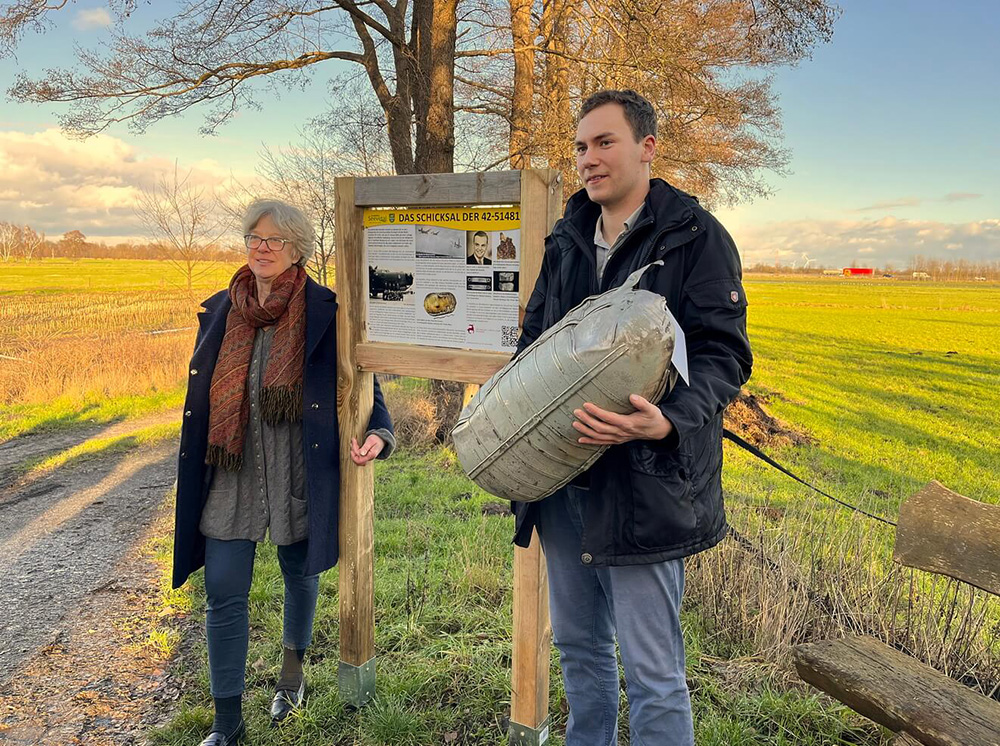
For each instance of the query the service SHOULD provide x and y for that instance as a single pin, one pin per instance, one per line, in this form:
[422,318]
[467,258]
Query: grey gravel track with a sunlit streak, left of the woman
[64,534]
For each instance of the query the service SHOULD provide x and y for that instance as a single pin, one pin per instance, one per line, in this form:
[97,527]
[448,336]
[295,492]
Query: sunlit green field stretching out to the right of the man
[896,381]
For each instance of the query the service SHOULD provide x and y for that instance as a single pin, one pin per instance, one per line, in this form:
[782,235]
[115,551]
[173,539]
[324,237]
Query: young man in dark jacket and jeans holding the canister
[616,539]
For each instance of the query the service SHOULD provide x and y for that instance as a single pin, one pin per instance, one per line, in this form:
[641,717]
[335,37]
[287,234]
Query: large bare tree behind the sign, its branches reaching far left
[214,52]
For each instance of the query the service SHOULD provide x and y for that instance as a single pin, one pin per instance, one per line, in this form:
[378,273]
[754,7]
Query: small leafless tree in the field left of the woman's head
[185,221]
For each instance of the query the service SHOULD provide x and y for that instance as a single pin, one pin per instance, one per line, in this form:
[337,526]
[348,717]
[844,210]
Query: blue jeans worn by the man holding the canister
[590,606]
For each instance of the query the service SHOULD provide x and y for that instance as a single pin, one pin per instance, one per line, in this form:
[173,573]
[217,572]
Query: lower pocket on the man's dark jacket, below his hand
[663,512]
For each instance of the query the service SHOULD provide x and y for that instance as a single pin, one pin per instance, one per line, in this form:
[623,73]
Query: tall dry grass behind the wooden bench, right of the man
[809,570]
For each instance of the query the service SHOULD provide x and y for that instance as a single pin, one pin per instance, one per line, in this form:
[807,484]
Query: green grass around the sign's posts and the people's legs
[443,635]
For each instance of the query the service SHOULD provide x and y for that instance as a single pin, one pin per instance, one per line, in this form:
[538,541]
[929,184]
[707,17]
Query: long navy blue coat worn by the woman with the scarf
[320,433]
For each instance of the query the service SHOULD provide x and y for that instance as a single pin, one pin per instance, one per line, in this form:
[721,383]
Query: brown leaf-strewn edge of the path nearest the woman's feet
[105,679]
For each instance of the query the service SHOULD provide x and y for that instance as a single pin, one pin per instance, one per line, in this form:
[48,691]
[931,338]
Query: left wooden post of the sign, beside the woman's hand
[356,675]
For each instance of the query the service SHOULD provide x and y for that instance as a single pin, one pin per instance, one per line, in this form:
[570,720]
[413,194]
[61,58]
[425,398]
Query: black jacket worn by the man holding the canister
[655,500]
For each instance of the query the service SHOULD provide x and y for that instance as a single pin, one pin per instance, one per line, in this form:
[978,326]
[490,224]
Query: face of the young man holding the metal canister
[611,164]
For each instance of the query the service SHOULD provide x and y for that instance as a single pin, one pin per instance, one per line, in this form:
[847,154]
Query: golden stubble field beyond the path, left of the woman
[94,341]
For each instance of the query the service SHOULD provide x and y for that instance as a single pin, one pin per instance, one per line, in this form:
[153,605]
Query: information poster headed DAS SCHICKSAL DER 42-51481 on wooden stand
[444,276]
